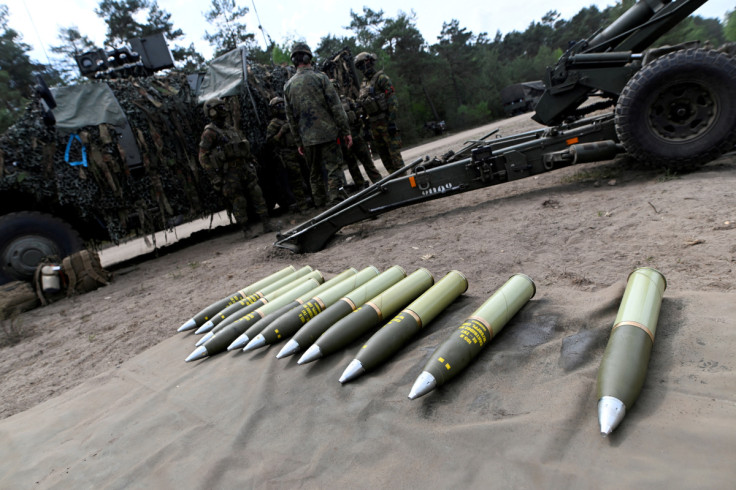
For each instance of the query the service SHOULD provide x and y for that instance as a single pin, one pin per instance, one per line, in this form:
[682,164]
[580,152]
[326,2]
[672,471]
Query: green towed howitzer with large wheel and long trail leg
[672,106]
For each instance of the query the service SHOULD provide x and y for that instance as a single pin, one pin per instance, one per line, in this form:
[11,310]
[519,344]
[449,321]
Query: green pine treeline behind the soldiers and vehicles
[455,78]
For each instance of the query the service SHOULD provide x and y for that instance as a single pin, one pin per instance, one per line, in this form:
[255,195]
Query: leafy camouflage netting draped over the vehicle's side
[166,120]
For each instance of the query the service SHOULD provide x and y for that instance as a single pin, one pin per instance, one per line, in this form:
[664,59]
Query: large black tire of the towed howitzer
[679,111]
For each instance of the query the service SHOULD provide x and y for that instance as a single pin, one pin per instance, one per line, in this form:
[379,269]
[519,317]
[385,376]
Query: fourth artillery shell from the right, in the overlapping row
[368,316]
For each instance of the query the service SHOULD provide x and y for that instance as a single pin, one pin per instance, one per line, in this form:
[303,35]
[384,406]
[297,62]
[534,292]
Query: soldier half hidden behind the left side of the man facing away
[279,137]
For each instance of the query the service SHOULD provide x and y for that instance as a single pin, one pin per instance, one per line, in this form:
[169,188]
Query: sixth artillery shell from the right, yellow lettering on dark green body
[289,323]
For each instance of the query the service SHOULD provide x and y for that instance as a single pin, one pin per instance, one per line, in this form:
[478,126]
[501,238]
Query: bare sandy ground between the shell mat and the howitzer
[584,228]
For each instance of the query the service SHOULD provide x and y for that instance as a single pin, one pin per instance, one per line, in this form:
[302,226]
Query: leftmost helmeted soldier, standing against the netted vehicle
[226,159]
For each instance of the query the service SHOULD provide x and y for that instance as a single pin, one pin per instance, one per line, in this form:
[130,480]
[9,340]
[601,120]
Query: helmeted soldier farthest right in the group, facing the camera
[378,99]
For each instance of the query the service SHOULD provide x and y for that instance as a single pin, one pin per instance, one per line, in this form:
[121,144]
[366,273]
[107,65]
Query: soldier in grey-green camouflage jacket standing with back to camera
[318,122]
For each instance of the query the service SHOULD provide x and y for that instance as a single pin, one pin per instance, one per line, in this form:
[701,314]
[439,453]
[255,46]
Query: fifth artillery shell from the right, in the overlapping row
[306,335]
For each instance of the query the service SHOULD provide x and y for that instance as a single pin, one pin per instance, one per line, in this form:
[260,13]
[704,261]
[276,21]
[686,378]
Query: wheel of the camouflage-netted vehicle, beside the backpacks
[27,237]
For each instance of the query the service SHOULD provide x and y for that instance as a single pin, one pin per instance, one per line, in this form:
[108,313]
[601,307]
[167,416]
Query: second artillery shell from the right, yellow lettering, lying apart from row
[476,331]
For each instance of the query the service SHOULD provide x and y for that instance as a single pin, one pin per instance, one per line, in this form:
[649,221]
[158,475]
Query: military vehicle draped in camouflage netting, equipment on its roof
[117,157]
